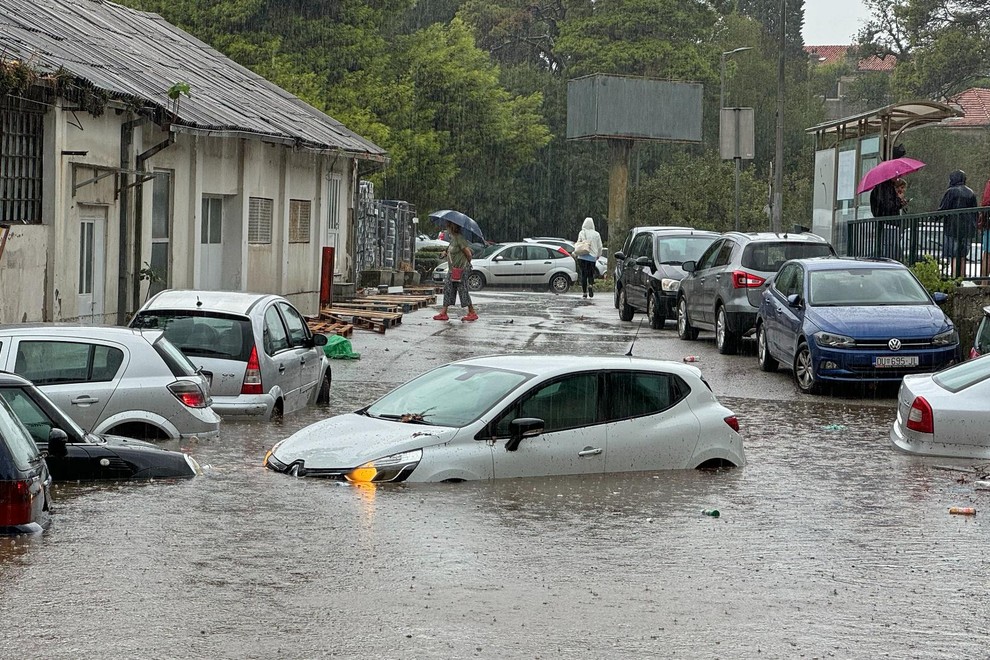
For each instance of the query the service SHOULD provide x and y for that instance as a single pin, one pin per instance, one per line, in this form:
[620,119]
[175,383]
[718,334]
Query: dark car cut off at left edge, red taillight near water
[25,495]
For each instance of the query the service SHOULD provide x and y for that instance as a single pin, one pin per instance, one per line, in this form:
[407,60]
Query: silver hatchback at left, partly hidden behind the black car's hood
[112,380]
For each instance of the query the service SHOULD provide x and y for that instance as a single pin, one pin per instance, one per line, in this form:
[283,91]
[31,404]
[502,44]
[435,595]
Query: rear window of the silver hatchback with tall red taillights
[211,335]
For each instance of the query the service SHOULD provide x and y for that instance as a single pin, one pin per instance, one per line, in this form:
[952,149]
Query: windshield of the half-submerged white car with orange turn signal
[452,395]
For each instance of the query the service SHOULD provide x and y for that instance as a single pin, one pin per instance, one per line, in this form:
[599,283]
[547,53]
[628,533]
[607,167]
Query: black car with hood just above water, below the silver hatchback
[74,455]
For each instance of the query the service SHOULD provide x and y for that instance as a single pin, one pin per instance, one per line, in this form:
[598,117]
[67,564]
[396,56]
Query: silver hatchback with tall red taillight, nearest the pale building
[263,358]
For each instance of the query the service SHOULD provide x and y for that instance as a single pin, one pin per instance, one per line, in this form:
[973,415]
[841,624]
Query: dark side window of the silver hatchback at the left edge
[58,362]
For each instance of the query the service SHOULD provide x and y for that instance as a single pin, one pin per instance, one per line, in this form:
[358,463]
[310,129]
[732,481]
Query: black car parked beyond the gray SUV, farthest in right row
[651,270]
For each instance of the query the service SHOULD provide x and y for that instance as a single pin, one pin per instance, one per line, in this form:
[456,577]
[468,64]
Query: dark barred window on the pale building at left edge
[21,148]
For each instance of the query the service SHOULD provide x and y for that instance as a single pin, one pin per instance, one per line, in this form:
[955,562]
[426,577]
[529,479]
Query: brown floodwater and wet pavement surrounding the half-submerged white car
[829,543]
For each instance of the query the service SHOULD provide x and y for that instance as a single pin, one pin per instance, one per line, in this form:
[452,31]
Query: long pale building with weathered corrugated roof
[134,157]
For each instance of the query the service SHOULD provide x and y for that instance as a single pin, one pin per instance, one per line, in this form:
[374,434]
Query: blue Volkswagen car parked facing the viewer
[852,320]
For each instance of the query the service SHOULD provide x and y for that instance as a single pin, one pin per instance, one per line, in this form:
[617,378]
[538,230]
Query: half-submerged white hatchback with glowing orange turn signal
[521,416]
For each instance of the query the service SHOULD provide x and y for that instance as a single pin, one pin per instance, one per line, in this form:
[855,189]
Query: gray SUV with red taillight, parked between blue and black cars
[724,287]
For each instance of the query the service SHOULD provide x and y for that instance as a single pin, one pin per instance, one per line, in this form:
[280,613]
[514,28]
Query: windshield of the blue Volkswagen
[848,287]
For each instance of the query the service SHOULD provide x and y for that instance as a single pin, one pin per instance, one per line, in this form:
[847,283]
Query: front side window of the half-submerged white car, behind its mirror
[566,403]
